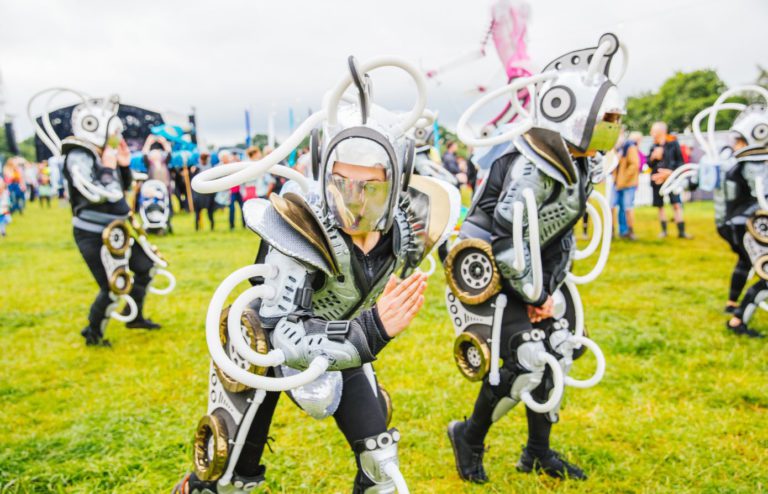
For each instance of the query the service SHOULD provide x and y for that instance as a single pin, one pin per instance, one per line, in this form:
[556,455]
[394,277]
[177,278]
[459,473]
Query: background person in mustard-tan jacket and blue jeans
[626,178]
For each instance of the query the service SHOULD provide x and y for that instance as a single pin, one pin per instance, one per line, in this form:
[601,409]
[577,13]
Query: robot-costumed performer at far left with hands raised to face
[96,168]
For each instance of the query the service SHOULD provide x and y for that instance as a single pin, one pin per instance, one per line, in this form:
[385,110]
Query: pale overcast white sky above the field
[268,55]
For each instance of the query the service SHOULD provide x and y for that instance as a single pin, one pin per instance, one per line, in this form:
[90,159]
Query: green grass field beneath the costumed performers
[683,406]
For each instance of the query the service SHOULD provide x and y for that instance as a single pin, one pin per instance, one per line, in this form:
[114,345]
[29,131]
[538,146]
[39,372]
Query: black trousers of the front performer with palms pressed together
[361,414]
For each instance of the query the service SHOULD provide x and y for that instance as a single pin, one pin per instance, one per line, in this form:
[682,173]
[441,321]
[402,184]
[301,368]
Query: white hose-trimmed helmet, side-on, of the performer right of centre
[574,95]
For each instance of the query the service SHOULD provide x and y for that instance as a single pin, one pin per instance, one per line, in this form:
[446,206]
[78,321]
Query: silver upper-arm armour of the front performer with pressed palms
[291,277]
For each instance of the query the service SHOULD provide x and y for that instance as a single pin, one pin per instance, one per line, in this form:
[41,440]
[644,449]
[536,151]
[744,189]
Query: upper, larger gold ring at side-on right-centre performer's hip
[453,262]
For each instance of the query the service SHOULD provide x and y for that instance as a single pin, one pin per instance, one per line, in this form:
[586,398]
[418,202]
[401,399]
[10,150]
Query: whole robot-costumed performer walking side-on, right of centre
[511,295]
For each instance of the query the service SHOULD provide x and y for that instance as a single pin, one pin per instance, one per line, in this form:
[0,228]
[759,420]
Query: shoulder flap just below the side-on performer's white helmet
[547,150]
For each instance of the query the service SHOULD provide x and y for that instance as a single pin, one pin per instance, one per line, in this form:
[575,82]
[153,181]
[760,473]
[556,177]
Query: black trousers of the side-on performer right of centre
[514,321]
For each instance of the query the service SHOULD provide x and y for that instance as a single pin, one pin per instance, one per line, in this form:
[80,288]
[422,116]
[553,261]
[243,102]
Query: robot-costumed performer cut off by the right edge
[736,175]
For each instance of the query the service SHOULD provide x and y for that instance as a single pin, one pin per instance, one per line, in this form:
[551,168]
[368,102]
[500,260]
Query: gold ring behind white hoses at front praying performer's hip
[258,342]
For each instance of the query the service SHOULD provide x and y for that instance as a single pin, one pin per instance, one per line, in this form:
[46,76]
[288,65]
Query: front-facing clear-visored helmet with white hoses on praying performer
[352,130]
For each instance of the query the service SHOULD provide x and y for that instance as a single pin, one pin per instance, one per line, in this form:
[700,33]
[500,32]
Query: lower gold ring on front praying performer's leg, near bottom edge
[210,461]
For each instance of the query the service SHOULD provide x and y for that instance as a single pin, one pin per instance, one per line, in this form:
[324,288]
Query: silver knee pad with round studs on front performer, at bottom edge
[377,456]
